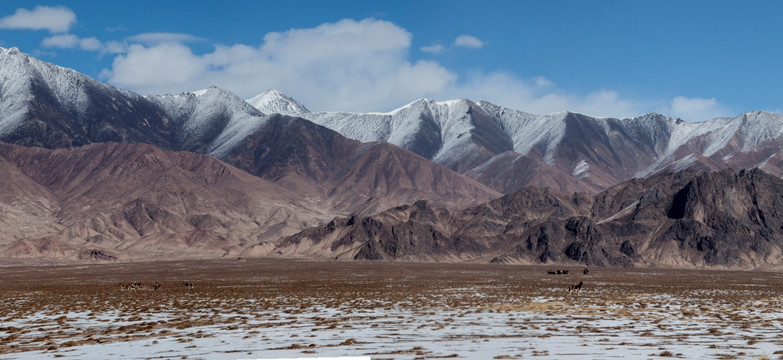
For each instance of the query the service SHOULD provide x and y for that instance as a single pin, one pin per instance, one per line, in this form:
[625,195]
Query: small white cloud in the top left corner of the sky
[55,19]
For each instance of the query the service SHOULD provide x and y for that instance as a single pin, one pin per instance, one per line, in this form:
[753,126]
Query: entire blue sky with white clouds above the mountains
[694,60]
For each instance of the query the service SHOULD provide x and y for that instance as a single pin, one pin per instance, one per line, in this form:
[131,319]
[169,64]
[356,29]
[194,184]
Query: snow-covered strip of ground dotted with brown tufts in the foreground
[437,333]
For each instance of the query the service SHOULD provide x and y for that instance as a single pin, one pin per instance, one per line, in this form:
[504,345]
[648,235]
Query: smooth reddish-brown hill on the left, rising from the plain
[138,201]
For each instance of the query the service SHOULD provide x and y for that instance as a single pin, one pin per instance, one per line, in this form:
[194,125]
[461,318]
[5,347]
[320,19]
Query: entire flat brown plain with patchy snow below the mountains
[272,308]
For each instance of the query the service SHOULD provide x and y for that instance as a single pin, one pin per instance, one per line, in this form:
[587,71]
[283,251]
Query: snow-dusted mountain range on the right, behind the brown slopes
[481,138]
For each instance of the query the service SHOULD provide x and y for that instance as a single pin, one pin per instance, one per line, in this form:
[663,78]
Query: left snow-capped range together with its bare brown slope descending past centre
[44,105]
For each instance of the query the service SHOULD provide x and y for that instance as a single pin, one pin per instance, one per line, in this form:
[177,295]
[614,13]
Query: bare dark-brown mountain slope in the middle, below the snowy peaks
[352,177]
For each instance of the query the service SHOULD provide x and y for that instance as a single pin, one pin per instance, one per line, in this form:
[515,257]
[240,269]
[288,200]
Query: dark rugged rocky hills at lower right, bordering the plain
[726,219]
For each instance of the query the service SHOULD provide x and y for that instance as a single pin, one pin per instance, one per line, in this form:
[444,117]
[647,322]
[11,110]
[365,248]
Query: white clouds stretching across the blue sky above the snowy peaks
[354,65]
